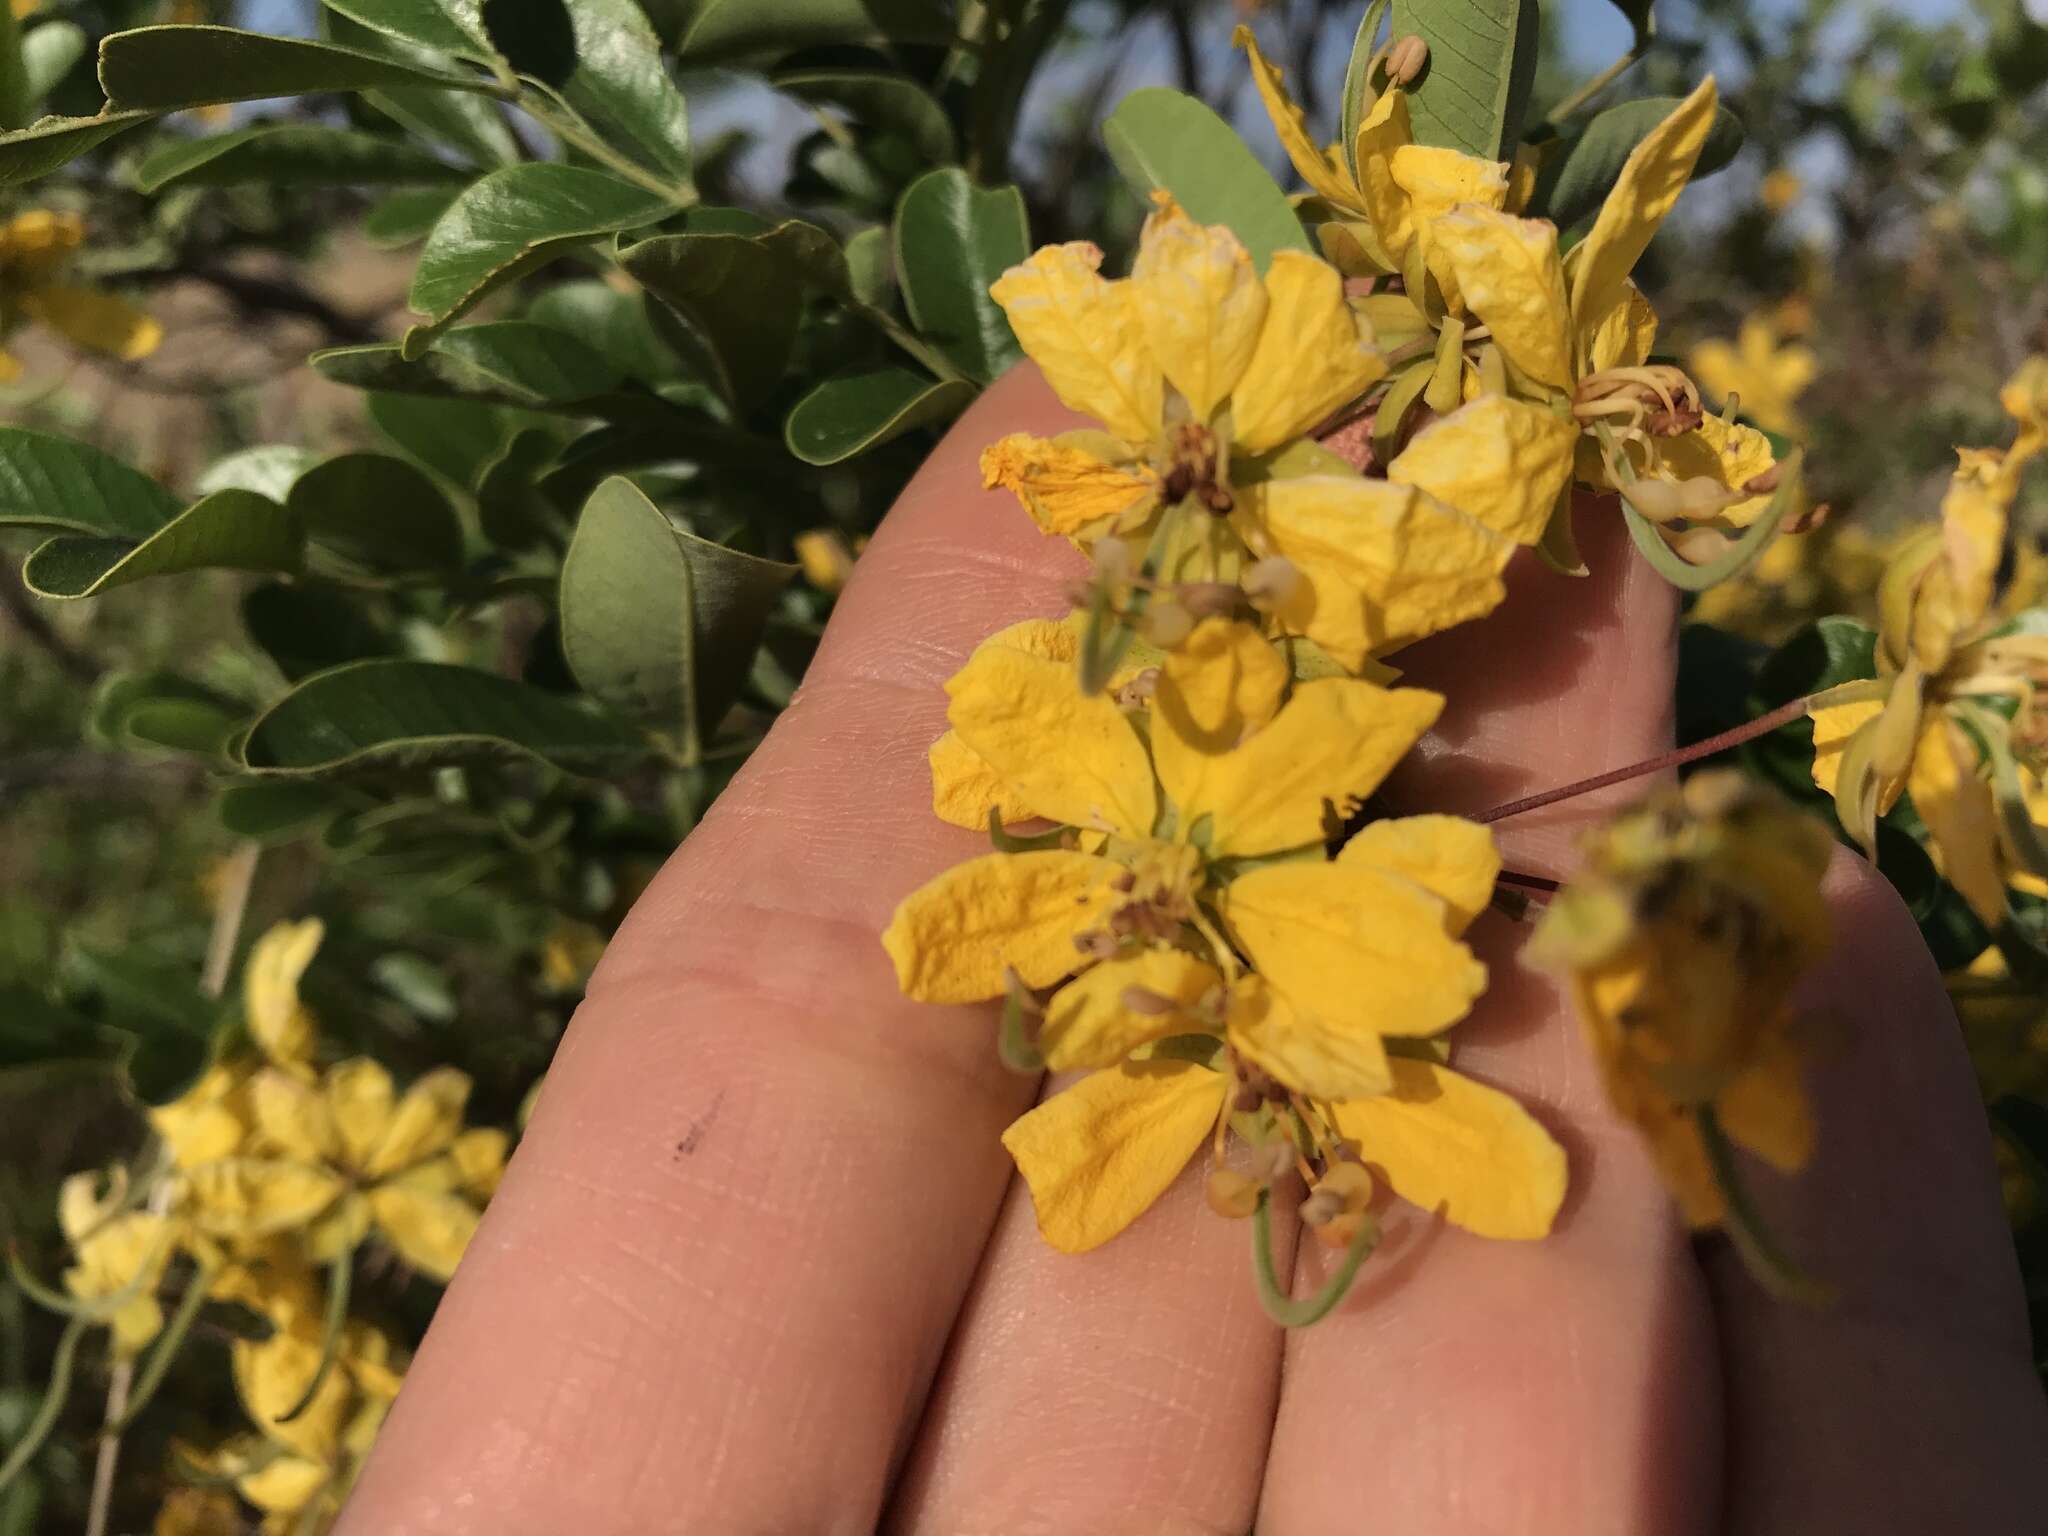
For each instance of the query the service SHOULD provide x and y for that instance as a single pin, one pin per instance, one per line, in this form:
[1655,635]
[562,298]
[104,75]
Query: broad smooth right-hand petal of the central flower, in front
[1361,947]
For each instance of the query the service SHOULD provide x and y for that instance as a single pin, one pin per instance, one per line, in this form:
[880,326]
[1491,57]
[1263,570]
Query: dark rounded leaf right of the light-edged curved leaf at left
[378,513]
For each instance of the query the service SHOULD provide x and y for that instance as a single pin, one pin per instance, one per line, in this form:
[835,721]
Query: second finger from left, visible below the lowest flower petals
[1123,1390]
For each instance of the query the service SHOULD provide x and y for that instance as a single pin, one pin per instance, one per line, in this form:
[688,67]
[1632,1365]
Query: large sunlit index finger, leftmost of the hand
[726,1258]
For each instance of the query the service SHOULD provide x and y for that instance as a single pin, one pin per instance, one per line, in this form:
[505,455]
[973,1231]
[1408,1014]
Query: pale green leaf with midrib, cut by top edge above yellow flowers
[1482,65]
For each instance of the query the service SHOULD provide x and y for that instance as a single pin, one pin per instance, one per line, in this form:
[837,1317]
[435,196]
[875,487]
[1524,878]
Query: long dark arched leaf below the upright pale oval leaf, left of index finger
[423,714]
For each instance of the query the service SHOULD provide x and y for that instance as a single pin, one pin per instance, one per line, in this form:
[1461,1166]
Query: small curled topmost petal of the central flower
[1215,691]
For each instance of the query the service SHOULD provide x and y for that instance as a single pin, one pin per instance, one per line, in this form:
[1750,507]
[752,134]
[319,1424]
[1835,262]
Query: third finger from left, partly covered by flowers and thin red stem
[1566,1385]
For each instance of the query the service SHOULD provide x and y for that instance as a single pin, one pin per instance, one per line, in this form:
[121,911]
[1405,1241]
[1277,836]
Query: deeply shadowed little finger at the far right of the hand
[1912,1402]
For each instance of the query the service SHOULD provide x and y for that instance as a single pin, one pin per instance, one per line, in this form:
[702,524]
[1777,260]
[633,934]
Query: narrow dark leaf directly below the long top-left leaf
[292,155]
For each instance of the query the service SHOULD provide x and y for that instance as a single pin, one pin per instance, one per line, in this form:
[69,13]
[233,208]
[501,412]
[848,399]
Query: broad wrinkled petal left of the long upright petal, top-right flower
[1514,280]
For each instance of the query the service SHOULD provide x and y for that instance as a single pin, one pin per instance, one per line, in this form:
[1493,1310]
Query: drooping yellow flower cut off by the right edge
[1945,648]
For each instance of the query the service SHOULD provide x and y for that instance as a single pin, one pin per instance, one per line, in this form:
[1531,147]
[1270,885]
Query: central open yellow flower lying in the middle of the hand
[1254,781]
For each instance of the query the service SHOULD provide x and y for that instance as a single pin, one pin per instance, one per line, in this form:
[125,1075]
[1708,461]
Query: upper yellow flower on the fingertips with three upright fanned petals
[1205,378]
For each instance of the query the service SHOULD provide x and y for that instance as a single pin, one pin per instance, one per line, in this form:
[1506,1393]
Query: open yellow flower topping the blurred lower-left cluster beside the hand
[345,1156]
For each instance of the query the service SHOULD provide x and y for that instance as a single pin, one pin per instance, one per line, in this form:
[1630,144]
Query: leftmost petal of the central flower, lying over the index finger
[953,937]
